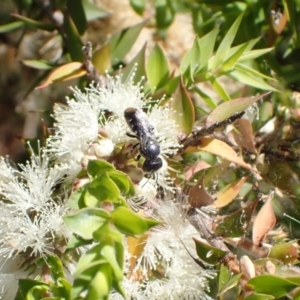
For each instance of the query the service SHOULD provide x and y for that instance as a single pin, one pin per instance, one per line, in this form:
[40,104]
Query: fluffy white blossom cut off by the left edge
[30,219]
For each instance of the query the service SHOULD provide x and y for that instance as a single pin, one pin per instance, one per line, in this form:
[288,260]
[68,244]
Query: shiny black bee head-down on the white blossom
[144,132]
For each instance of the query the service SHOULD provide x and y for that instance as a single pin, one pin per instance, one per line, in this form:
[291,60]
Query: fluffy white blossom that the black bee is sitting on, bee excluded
[92,126]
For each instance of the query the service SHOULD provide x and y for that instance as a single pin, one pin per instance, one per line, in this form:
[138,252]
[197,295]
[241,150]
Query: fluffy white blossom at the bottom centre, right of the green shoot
[164,253]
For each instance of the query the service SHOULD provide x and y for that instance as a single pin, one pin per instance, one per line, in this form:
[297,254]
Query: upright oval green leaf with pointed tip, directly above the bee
[157,69]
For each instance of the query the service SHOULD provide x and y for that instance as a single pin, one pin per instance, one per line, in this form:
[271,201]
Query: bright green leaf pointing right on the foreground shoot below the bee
[131,223]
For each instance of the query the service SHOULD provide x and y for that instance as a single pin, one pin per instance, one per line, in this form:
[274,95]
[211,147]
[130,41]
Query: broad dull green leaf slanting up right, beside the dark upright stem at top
[121,42]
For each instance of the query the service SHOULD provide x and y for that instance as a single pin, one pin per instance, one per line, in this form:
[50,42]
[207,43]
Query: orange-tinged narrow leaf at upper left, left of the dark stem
[64,73]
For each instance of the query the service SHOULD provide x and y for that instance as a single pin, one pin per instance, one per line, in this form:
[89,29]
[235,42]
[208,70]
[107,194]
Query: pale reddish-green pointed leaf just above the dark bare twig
[229,108]
